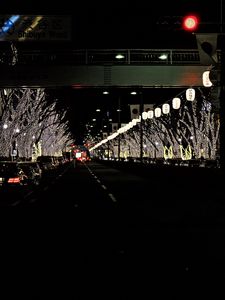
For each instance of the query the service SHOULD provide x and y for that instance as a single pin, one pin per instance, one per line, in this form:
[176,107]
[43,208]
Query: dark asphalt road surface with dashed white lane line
[101,232]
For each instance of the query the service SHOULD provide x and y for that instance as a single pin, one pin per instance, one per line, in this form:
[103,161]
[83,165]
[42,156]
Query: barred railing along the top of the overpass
[110,56]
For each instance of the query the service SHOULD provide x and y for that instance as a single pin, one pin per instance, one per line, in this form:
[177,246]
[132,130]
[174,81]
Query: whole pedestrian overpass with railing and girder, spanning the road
[104,68]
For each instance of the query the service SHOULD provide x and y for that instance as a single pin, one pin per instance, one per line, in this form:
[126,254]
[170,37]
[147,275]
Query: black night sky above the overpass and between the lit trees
[118,24]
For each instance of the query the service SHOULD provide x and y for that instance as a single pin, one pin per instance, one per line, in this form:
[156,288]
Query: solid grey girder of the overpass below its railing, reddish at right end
[102,75]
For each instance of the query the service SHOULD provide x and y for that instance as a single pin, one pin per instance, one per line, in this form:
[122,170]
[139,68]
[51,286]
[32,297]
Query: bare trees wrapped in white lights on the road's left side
[28,120]
